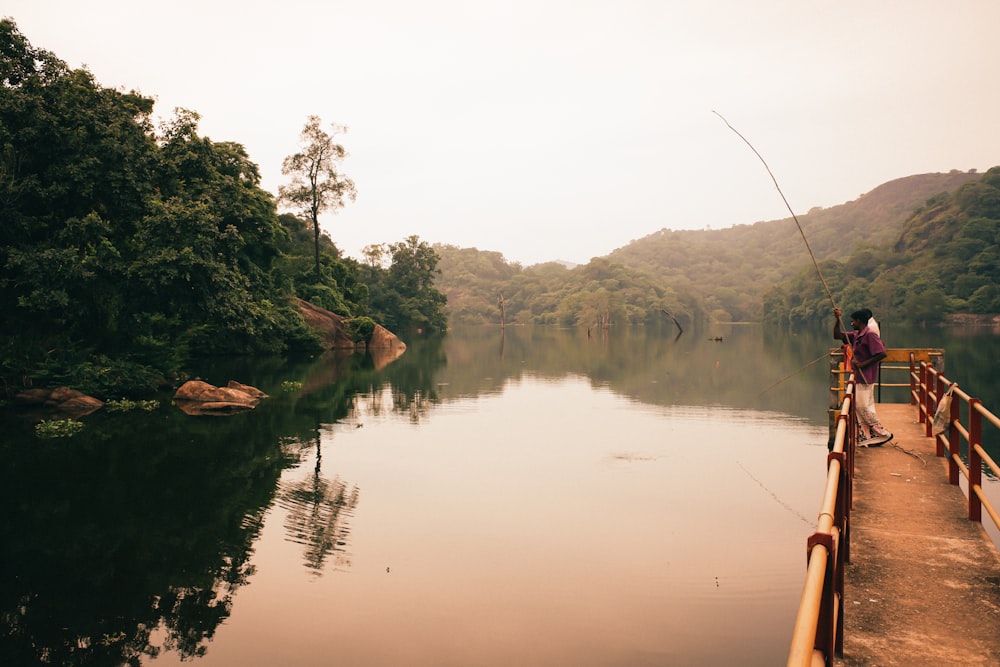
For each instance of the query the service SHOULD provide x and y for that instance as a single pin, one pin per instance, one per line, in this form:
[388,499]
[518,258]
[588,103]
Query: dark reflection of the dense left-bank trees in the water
[130,540]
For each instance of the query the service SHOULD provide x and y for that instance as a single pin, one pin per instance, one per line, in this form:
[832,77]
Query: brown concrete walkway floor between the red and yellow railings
[923,584]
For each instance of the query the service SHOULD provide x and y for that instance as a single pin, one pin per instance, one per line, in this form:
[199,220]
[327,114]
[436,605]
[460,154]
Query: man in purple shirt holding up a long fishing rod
[867,352]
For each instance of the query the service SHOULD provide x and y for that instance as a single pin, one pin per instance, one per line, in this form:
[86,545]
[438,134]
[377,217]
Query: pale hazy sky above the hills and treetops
[561,129]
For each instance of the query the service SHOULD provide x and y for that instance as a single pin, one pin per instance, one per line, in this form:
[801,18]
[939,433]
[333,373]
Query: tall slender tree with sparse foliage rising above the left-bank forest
[316,183]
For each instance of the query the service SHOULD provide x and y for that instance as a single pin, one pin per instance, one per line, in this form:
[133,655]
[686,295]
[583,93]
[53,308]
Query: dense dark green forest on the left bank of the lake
[127,250]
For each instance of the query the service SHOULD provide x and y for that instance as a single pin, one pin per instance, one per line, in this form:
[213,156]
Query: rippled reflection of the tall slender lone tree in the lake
[318,513]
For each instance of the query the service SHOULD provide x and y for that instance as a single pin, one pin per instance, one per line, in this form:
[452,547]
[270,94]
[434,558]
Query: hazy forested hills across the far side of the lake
[918,248]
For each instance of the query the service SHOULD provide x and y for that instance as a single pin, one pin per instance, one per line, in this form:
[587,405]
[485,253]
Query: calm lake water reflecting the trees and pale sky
[532,497]
